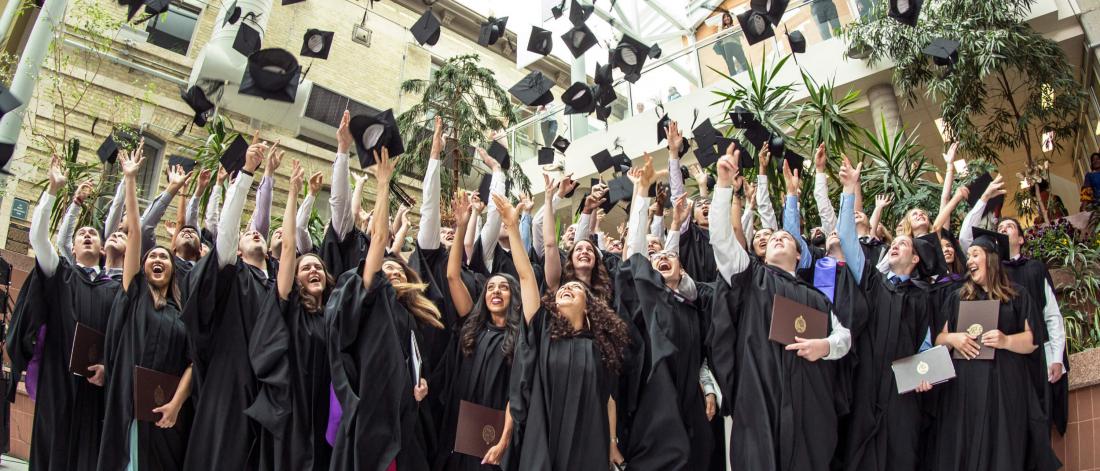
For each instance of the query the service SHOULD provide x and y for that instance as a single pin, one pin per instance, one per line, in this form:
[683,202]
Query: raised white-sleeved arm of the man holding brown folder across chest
[730,256]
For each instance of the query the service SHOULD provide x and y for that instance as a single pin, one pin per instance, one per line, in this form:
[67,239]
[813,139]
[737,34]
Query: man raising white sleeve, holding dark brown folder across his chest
[784,400]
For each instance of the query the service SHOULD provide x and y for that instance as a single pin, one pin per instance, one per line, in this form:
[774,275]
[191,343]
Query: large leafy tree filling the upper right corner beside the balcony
[1010,85]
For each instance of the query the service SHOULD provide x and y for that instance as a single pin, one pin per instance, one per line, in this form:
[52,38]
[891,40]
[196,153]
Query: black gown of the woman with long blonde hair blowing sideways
[370,348]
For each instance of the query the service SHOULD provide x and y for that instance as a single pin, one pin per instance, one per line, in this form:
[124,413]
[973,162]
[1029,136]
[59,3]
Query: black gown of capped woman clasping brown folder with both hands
[989,418]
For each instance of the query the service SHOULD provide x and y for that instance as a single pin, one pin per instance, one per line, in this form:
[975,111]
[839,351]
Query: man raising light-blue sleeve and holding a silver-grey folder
[884,430]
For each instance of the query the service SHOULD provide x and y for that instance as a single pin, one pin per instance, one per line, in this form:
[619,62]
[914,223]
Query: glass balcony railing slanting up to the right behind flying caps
[690,70]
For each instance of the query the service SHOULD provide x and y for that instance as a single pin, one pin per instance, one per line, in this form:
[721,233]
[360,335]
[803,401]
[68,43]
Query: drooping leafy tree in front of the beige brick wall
[472,105]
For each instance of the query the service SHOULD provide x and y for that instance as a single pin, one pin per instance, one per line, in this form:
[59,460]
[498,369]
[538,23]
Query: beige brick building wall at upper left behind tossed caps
[120,94]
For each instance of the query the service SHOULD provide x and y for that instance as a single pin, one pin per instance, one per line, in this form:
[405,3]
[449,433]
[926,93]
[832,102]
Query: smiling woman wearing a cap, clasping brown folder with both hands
[991,418]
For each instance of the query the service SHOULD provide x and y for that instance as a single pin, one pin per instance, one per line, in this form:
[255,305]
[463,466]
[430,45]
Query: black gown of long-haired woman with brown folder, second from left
[141,335]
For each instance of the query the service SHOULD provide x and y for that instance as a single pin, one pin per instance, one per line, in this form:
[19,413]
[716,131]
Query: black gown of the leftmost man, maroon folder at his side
[69,412]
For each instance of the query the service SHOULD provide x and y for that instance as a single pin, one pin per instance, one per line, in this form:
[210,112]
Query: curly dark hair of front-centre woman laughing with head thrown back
[608,327]
